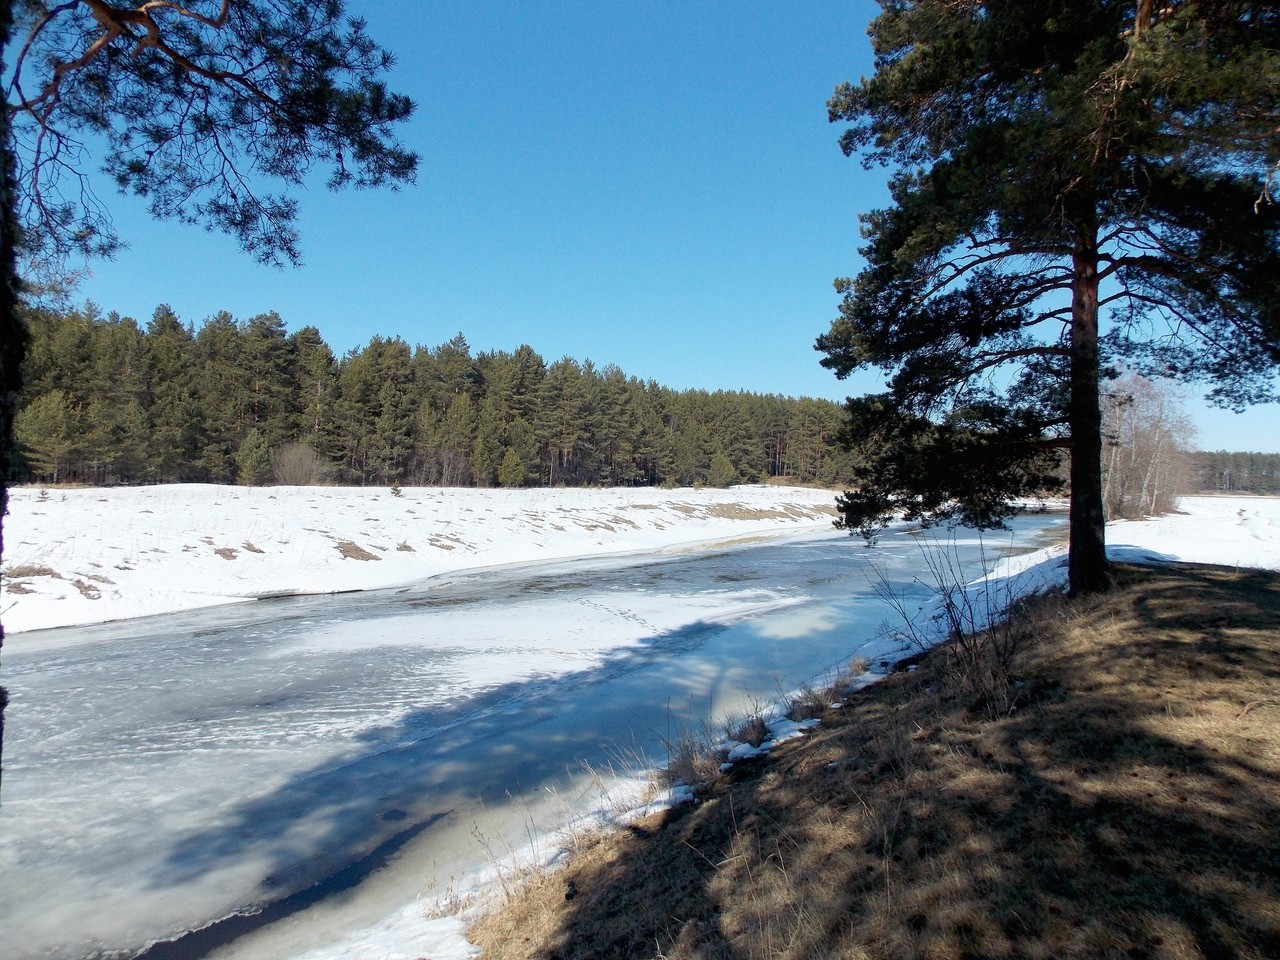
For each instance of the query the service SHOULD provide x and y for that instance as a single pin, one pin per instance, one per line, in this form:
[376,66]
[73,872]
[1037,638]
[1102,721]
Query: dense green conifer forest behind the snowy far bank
[109,401]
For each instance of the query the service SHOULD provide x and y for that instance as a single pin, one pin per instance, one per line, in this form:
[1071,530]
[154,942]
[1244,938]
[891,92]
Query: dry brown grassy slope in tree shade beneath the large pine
[1127,806]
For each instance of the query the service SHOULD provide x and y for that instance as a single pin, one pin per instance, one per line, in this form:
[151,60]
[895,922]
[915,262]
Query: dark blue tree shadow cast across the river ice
[327,829]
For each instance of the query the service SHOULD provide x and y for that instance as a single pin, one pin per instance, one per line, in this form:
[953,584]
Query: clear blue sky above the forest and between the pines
[652,185]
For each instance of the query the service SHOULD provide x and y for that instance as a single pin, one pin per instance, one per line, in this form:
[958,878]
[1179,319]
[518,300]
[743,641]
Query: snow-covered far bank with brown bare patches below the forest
[88,556]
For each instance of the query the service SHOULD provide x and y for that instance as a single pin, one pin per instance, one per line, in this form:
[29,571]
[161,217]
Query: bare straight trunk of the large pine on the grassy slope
[1087,563]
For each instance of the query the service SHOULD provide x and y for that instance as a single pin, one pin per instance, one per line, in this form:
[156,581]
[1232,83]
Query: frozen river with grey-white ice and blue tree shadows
[333,757]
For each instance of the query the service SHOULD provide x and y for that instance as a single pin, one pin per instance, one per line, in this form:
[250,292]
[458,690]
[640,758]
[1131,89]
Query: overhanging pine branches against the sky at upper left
[199,106]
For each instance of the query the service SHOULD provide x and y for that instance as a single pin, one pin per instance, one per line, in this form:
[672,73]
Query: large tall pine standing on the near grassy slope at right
[1059,166]
